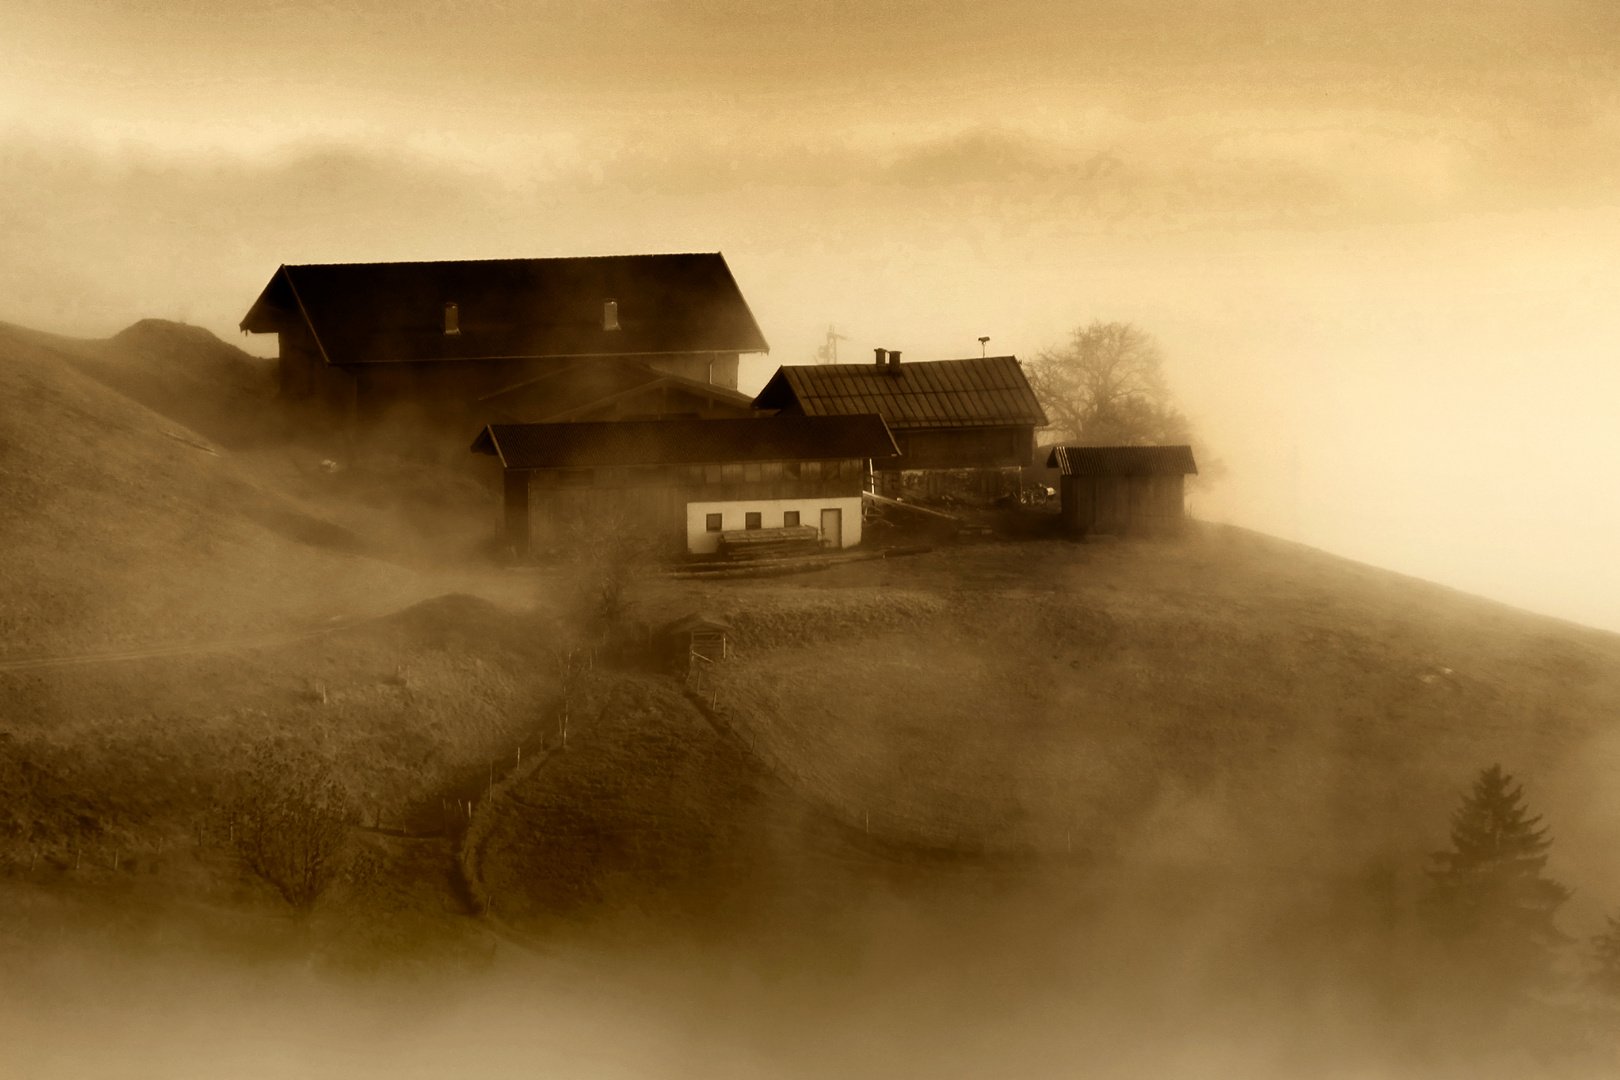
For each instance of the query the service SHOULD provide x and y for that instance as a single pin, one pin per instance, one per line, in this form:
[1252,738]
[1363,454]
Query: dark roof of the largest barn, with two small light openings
[394,312]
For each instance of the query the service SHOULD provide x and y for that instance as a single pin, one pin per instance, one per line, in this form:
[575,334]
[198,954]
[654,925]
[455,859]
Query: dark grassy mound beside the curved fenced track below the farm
[655,817]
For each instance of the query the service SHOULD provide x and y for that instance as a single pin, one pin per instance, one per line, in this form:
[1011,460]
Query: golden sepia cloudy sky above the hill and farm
[1378,240]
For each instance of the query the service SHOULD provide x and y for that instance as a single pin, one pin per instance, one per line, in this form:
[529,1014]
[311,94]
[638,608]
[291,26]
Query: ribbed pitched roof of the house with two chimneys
[981,393]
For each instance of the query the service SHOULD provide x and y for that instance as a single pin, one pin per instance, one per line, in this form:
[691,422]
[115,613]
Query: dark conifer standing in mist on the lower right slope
[1490,890]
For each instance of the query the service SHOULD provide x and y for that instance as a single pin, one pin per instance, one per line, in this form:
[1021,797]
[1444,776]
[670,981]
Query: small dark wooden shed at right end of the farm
[1122,490]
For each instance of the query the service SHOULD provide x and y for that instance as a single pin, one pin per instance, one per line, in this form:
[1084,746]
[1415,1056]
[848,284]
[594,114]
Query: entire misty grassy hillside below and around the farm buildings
[1141,809]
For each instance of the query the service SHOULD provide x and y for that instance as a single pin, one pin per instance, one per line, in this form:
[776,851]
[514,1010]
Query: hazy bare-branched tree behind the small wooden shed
[1107,388]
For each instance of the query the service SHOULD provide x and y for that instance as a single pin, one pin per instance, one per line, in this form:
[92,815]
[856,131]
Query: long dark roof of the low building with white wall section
[688,441]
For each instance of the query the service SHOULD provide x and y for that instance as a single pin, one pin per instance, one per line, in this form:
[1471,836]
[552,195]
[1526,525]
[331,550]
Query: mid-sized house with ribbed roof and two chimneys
[947,415]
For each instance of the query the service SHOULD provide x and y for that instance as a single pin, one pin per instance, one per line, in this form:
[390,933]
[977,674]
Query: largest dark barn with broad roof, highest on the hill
[454,342]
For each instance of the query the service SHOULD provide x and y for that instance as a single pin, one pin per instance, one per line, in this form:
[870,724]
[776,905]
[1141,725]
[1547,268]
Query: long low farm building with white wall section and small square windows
[683,483]
